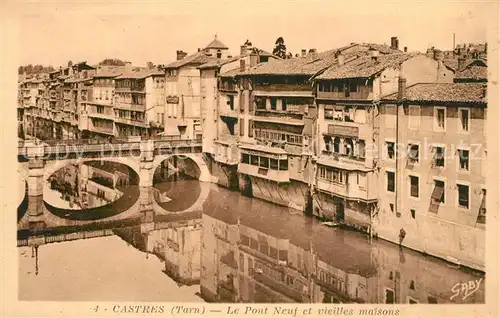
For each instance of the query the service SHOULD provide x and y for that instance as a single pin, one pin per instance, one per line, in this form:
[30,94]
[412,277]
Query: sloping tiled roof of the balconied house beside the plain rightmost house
[364,66]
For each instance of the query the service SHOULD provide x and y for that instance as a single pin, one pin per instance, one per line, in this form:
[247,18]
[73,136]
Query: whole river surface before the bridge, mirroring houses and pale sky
[233,249]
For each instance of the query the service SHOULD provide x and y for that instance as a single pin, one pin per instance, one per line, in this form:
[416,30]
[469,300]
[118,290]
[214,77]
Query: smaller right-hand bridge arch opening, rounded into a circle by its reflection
[176,183]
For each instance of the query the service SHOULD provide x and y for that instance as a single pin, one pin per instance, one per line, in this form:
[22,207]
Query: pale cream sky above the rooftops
[52,33]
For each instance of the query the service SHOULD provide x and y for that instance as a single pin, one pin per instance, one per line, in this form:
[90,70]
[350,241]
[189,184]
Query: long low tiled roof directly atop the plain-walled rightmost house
[444,92]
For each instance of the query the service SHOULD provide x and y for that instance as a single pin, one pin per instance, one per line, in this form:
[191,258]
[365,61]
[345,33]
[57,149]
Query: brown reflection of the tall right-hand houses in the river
[258,252]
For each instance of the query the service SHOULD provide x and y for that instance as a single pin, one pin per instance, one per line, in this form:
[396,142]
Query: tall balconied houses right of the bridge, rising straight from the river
[366,135]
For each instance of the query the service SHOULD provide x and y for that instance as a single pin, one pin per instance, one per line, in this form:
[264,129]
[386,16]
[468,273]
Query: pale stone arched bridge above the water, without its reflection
[142,156]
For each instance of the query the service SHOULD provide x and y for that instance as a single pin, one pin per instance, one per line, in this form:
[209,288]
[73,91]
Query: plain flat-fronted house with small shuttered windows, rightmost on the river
[432,192]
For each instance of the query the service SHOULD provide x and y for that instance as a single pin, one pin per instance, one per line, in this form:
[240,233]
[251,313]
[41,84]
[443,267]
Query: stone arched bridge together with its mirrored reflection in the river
[39,222]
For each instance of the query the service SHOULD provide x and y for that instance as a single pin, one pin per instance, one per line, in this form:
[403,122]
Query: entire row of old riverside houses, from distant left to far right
[367,135]
